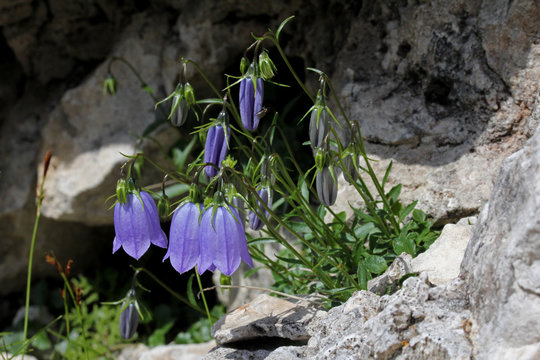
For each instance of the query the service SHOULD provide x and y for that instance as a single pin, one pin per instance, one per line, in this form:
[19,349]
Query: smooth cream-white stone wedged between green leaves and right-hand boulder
[442,261]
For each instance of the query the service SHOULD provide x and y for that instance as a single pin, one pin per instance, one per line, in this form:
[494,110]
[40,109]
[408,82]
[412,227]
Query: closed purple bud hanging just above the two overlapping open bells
[216,147]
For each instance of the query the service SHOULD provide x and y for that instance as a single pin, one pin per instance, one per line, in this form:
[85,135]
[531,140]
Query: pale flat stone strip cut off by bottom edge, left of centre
[166,352]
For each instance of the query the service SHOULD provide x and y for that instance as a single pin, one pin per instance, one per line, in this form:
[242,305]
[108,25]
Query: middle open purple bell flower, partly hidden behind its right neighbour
[184,237]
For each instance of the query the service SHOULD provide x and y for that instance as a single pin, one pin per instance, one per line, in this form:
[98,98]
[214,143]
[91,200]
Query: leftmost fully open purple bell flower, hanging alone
[136,224]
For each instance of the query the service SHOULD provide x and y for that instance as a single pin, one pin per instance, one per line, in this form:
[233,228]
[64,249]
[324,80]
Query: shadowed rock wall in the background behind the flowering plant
[446,90]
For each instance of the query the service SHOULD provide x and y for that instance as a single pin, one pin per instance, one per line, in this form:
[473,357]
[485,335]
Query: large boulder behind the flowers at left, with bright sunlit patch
[88,132]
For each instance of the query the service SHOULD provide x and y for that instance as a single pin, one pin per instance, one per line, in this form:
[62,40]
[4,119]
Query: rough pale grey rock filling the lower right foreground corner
[491,311]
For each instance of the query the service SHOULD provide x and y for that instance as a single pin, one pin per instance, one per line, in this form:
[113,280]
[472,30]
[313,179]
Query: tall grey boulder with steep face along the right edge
[501,264]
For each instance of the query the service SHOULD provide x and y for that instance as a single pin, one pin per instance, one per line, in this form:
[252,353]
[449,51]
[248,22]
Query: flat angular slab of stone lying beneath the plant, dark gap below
[267,317]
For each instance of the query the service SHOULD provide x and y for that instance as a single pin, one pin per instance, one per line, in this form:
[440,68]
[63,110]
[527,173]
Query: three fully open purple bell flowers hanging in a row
[211,238]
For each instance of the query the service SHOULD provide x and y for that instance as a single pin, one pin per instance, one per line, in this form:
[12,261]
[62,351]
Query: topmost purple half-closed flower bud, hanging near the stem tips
[251,100]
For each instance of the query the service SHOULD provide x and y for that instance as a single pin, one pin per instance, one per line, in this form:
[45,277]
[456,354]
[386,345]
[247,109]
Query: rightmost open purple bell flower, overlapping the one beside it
[223,243]
